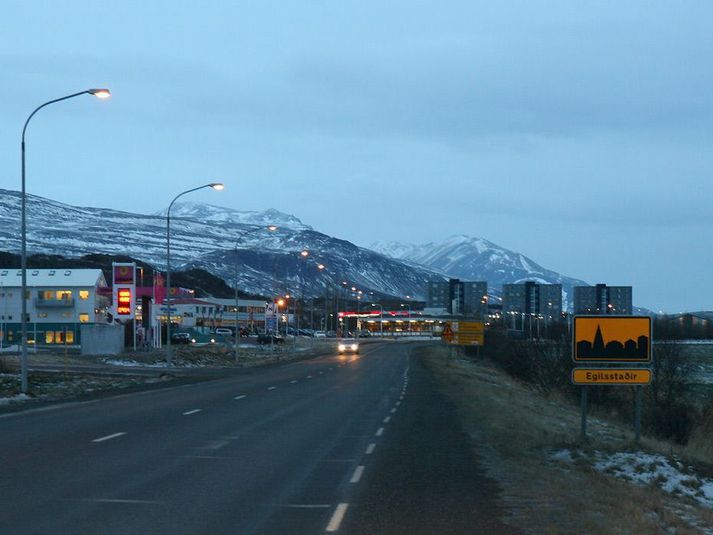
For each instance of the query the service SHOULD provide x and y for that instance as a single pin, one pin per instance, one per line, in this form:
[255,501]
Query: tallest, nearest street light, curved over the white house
[99,93]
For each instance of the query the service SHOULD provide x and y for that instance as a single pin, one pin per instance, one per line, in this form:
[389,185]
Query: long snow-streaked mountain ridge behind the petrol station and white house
[220,240]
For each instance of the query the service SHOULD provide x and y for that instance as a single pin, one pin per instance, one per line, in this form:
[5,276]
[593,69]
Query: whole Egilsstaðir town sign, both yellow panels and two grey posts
[615,341]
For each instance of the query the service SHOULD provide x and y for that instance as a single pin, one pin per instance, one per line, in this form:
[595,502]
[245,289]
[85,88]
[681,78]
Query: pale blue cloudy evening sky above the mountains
[577,133]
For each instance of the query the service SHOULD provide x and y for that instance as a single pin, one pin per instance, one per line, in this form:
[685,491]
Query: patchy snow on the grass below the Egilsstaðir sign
[669,474]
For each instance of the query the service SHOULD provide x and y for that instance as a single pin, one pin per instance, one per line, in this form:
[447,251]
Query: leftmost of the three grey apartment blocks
[464,298]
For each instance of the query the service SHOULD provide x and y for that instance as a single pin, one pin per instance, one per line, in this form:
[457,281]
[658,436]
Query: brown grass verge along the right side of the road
[530,444]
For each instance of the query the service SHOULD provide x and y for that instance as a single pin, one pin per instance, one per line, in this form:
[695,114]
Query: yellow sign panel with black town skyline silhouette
[611,339]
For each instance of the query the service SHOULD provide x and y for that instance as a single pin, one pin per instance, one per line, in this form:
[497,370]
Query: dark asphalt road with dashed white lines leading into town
[288,449]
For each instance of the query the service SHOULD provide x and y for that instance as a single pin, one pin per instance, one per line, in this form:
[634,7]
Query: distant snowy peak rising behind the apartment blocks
[470,258]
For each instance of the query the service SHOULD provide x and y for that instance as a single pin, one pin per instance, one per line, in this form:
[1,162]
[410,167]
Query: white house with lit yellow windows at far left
[59,301]
